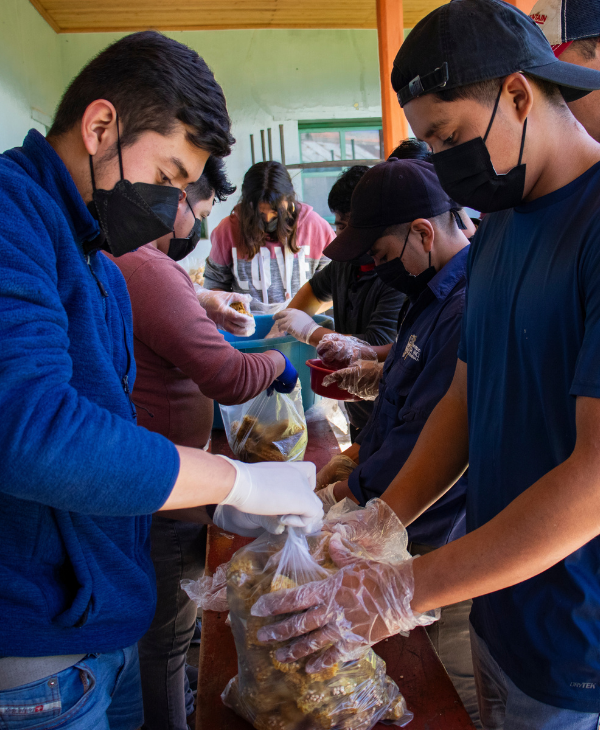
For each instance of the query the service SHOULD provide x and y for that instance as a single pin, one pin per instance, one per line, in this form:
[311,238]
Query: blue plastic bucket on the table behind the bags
[297,352]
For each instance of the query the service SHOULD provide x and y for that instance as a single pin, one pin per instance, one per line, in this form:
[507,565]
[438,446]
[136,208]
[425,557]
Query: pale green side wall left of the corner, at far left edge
[31,75]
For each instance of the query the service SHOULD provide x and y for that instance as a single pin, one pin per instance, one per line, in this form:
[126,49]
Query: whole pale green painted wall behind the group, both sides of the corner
[269,77]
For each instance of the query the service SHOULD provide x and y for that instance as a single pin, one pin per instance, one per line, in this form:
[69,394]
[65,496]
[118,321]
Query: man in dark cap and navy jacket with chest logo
[415,233]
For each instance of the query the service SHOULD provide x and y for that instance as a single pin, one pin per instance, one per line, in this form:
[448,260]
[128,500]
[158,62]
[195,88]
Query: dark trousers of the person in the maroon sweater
[178,551]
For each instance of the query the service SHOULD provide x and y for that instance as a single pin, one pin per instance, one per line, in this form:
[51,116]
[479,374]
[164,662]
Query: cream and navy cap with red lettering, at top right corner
[565,21]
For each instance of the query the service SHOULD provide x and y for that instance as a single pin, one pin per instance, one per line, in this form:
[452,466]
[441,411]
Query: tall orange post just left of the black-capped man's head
[390,33]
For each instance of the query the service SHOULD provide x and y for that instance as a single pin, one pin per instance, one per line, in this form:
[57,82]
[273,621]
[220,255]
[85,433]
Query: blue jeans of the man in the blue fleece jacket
[101,692]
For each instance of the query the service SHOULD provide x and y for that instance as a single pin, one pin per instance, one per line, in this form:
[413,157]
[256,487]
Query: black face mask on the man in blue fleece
[132,214]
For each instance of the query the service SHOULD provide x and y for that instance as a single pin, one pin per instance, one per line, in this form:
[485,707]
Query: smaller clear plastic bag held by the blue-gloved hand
[268,427]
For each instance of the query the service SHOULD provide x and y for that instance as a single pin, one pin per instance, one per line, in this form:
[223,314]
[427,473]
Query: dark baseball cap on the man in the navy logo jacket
[393,192]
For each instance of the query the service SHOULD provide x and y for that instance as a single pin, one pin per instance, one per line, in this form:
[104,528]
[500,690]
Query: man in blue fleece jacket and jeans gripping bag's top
[78,477]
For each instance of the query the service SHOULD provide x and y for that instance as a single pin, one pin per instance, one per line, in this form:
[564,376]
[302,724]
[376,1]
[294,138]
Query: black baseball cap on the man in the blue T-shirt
[467,41]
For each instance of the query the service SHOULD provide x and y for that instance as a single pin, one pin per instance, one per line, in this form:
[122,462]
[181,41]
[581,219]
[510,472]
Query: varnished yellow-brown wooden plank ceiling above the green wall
[87,16]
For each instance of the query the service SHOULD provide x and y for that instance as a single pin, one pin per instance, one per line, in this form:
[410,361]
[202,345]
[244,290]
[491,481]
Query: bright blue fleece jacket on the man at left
[78,478]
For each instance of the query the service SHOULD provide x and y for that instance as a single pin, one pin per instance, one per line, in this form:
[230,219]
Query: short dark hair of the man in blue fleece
[152,81]
